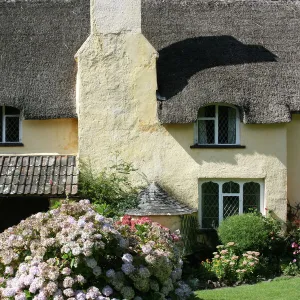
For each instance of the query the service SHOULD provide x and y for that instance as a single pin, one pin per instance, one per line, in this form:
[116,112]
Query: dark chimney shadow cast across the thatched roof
[180,61]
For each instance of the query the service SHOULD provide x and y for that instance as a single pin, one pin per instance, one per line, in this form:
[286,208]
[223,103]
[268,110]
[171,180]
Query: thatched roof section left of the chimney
[38,41]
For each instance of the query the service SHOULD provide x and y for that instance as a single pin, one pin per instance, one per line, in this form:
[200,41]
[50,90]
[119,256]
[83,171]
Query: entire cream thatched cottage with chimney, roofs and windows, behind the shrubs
[202,96]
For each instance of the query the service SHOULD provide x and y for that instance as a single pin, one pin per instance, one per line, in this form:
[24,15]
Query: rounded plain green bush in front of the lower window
[249,231]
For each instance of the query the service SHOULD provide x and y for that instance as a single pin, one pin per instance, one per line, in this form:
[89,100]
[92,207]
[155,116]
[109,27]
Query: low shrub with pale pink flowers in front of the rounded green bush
[230,268]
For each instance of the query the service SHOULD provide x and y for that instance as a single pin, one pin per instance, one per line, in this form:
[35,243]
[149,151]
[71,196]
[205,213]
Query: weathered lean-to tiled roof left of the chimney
[38,175]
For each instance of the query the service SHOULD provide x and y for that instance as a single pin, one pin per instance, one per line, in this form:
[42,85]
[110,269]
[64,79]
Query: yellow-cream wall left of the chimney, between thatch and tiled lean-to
[59,136]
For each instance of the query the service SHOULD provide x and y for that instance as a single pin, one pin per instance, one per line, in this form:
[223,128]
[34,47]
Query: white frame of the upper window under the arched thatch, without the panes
[216,119]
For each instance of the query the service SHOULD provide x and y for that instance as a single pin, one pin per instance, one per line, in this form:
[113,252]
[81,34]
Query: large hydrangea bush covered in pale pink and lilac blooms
[74,253]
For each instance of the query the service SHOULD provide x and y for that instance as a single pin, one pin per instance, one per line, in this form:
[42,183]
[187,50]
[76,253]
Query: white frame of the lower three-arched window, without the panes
[241,183]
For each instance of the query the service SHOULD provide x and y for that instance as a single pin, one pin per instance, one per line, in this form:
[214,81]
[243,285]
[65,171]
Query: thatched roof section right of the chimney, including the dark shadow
[242,52]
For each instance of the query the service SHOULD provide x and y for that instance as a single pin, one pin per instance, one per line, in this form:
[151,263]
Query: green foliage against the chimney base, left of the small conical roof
[110,191]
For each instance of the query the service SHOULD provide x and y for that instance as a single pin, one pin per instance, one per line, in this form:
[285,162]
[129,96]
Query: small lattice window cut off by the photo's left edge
[10,125]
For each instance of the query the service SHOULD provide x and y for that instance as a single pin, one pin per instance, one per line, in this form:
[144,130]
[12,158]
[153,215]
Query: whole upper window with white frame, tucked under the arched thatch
[217,125]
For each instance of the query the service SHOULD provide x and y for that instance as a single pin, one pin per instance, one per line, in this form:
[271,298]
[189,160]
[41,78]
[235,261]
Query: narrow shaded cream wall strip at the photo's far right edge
[293,162]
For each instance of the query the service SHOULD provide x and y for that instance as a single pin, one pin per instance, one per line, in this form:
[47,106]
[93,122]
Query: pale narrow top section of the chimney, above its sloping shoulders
[115,16]
